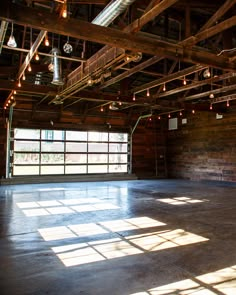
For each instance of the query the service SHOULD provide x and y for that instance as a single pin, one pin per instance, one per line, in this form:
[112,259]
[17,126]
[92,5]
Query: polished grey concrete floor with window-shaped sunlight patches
[153,237]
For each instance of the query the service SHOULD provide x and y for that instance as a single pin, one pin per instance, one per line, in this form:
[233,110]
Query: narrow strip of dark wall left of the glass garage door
[3,145]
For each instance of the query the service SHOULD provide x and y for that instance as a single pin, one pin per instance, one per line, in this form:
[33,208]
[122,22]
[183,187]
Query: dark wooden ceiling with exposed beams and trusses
[123,68]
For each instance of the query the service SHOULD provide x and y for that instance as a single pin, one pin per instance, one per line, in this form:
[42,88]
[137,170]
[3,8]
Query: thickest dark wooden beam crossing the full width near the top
[87,31]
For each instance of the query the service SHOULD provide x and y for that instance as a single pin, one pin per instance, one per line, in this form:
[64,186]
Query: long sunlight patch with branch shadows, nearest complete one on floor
[82,253]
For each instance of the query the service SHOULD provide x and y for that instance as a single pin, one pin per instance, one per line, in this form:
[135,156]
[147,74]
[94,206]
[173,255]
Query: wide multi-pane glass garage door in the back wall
[44,152]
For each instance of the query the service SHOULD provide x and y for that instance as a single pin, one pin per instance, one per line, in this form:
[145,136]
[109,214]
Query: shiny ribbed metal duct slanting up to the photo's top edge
[111,11]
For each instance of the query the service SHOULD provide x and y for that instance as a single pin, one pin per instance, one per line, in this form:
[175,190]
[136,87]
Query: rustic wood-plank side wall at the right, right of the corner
[204,148]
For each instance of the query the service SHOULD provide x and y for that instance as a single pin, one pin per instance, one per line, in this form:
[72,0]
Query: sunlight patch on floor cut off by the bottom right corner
[222,282]
